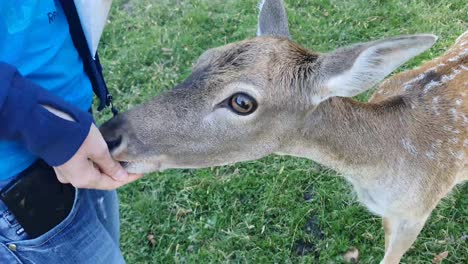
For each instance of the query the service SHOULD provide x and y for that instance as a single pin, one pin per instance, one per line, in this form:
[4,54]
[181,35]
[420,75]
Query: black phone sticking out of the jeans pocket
[37,199]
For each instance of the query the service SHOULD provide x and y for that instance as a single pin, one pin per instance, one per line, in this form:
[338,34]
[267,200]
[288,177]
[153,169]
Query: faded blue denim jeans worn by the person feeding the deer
[89,234]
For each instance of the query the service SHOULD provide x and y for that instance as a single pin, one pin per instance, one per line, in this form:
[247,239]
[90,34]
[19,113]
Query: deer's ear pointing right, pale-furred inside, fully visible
[355,69]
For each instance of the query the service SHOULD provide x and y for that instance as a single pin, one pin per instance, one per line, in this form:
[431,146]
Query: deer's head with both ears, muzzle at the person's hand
[249,99]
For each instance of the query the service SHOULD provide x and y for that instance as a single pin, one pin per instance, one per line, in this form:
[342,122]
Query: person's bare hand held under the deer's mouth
[92,166]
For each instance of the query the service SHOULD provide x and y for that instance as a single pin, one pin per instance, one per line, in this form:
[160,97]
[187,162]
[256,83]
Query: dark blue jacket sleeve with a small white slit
[24,118]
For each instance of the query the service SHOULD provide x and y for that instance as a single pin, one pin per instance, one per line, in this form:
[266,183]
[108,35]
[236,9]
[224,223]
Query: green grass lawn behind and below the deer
[255,212]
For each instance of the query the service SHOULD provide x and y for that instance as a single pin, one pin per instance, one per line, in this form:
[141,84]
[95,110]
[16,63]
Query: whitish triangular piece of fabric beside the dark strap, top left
[93,16]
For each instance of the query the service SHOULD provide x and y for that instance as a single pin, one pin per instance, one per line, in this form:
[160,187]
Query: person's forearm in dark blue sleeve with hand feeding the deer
[64,136]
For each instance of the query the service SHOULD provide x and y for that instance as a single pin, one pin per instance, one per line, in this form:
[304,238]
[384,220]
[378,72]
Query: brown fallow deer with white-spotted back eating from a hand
[402,151]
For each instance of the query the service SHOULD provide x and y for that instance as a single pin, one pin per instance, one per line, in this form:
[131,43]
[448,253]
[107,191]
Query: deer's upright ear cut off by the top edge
[273,20]
